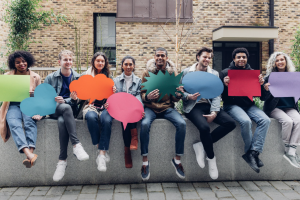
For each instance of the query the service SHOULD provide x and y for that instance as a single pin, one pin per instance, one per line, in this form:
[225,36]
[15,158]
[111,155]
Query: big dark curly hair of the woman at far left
[28,57]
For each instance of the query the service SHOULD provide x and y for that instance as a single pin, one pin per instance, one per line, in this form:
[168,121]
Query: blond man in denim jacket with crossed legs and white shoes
[65,100]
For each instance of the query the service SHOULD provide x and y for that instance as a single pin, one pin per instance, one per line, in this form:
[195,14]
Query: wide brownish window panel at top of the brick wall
[153,10]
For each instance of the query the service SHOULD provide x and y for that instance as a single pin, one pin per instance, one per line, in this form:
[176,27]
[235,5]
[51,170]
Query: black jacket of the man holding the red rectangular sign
[234,100]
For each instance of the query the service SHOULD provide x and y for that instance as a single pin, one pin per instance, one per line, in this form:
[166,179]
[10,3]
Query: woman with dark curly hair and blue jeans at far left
[19,63]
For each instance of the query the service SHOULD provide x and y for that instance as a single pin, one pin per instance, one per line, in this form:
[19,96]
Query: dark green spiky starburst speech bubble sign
[165,83]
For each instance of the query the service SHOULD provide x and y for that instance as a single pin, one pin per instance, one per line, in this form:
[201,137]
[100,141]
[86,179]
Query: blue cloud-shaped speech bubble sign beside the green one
[43,103]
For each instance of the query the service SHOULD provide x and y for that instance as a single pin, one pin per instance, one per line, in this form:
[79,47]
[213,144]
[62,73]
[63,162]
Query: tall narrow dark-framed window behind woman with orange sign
[105,36]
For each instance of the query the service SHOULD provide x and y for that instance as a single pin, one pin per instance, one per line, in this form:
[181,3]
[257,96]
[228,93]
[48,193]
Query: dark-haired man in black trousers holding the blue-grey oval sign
[205,111]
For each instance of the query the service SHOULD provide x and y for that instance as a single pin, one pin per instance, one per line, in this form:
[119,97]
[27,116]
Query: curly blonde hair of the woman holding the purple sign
[271,67]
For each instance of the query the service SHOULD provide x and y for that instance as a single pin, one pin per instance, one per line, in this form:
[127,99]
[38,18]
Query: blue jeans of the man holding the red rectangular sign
[244,115]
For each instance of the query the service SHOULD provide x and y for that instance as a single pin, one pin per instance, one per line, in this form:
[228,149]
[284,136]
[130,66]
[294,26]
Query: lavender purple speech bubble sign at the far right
[285,84]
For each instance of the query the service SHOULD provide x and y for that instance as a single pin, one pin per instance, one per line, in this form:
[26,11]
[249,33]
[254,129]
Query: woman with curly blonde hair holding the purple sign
[283,109]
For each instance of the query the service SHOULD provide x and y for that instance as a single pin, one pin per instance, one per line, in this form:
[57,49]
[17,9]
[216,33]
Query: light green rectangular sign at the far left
[14,88]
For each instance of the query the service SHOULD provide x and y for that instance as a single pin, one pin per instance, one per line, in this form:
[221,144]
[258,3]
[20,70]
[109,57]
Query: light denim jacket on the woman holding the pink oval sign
[134,89]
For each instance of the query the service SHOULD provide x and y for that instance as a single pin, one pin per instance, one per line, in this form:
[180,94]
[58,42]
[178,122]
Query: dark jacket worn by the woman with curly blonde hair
[270,101]
